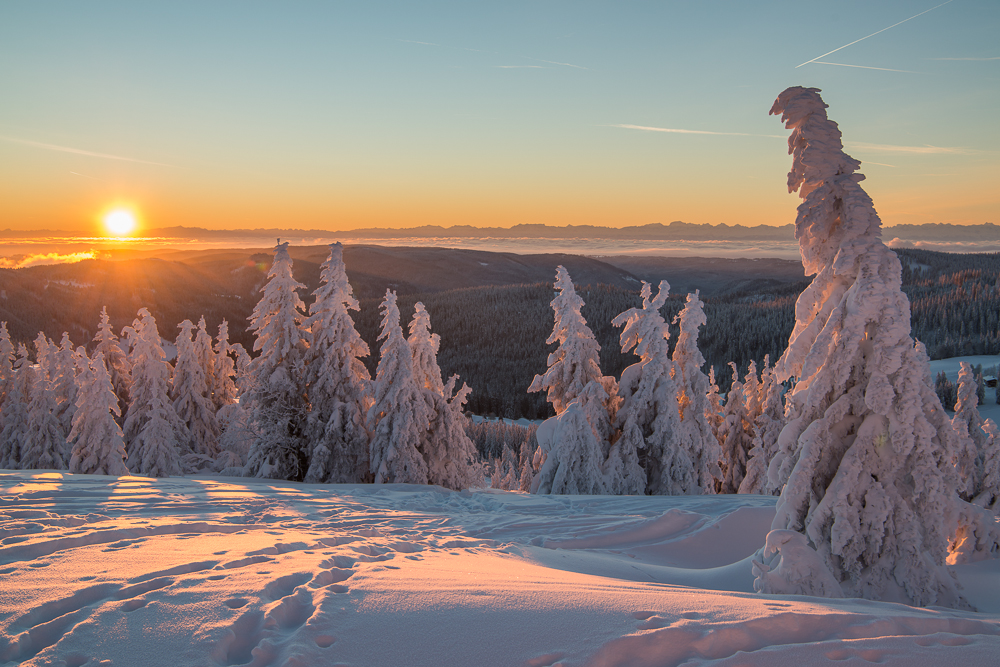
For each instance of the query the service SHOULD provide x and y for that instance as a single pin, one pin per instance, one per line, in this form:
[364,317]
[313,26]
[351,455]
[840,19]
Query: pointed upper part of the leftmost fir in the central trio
[576,361]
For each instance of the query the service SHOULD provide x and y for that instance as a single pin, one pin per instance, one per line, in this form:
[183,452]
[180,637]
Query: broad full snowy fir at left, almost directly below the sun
[147,439]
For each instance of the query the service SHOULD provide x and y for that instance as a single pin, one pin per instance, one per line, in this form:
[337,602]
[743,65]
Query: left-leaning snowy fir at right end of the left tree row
[450,455]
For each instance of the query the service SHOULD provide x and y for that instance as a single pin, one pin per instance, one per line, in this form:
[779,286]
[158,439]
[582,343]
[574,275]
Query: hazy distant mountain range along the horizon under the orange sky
[675,231]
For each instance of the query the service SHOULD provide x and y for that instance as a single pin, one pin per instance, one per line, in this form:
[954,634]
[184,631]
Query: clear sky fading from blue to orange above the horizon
[335,115]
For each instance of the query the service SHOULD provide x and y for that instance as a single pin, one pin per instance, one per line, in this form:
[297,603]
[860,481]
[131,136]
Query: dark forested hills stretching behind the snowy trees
[492,309]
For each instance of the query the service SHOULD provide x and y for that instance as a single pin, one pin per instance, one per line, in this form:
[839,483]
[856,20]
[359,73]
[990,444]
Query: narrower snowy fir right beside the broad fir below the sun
[190,395]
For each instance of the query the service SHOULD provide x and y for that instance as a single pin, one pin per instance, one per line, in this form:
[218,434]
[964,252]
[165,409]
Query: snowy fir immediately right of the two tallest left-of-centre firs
[399,416]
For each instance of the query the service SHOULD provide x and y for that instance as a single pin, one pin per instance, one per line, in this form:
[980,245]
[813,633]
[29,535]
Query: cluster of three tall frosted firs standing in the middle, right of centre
[652,432]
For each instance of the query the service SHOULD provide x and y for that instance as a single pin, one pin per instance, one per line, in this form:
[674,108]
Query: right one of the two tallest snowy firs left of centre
[337,383]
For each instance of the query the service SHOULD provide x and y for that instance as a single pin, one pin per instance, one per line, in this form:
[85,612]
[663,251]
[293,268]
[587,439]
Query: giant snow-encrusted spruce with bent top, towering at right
[865,459]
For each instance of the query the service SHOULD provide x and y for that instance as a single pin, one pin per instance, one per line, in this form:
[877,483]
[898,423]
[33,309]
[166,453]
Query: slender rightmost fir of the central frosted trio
[695,432]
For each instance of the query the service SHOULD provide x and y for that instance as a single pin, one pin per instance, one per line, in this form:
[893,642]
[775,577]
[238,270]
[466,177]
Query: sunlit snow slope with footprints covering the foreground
[223,571]
